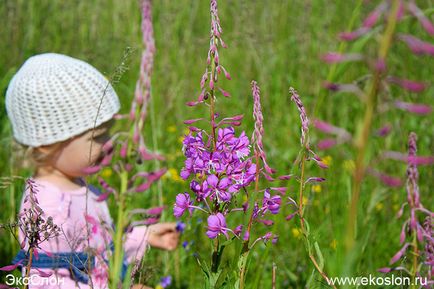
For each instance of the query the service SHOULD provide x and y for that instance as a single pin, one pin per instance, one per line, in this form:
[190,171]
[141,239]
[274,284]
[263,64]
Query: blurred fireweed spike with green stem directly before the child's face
[128,151]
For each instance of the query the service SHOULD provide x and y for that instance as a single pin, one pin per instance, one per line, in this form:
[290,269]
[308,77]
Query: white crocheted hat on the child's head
[54,97]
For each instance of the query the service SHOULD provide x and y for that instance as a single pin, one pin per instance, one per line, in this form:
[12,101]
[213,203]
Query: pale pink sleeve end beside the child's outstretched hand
[136,243]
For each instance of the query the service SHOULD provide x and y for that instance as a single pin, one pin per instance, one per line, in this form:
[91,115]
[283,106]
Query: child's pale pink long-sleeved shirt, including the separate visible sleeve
[68,210]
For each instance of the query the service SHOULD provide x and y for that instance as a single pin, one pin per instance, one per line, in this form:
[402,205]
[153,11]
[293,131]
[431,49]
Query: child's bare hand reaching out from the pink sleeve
[163,236]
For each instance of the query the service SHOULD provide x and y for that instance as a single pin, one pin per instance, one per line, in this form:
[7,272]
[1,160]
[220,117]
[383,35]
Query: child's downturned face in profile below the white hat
[82,151]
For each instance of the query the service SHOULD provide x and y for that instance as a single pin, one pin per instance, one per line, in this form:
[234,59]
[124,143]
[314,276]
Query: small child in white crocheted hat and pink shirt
[62,109]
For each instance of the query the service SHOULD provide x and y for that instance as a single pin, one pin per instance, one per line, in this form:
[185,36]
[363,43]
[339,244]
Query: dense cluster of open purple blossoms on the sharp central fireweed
[230,158]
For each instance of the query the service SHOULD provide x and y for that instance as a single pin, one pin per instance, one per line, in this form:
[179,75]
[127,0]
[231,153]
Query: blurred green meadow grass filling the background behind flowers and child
[277,43]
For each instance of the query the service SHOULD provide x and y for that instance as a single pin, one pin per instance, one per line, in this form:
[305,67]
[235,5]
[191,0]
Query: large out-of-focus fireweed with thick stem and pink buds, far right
[382,24]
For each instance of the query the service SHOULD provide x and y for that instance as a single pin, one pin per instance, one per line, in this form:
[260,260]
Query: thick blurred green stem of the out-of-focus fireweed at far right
[362,140]
